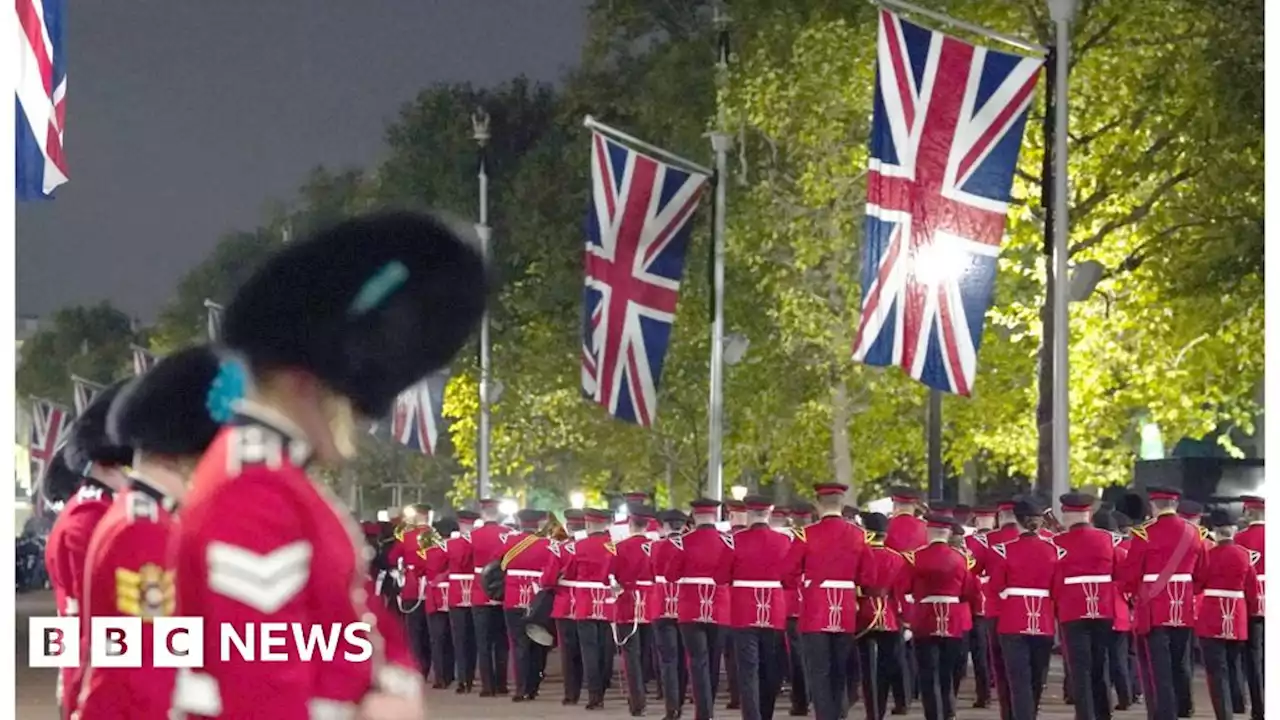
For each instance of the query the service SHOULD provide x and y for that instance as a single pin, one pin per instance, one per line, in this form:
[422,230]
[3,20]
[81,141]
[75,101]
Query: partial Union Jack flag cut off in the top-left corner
[42,99]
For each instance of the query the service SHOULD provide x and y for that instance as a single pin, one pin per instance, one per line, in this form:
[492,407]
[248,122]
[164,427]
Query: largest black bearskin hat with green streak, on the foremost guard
[371,306]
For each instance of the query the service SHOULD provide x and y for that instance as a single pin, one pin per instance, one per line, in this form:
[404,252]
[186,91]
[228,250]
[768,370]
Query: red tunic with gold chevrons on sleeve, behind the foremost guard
[127,576]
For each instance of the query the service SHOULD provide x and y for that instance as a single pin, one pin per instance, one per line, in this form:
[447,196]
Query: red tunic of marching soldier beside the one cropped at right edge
[1229,587]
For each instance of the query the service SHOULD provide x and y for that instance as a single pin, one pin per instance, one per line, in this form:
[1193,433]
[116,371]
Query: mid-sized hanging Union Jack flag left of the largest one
[637,239]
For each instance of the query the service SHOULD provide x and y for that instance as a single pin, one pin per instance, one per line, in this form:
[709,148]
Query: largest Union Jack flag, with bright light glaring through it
[947,131]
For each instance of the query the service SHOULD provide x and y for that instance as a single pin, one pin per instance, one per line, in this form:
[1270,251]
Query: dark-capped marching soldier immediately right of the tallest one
[880,622]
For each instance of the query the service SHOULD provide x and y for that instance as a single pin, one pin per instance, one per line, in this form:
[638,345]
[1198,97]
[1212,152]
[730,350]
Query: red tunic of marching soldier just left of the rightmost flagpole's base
[1023,582]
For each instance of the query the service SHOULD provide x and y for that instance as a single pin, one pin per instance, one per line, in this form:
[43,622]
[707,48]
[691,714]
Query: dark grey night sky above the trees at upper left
[184,119]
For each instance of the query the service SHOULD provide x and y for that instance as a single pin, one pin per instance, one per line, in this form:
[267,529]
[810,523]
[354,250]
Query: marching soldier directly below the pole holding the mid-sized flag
[701,567]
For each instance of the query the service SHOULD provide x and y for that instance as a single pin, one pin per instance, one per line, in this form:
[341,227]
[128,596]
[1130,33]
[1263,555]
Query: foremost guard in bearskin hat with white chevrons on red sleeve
[330,338]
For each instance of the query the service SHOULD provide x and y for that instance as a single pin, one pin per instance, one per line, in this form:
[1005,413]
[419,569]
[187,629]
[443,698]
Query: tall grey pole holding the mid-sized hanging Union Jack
[721,144]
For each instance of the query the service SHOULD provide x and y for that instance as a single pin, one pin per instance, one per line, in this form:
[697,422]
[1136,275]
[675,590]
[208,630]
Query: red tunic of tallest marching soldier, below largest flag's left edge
[825,562]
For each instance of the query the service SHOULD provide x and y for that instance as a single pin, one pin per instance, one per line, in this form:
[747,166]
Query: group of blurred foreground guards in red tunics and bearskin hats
[194,489]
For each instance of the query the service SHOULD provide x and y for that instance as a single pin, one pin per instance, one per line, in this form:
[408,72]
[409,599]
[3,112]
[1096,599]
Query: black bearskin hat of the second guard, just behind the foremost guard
[171,409]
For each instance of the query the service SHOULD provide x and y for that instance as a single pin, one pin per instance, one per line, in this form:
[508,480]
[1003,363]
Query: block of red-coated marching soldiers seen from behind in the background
[830,604]
